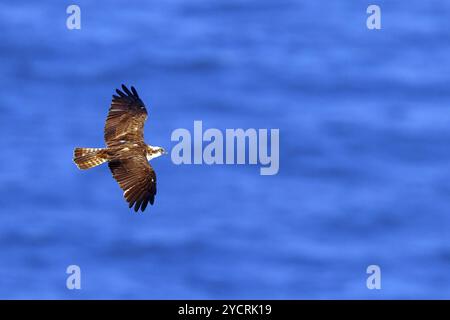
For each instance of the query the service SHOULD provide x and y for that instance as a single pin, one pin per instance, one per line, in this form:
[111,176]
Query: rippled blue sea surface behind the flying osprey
[364,119]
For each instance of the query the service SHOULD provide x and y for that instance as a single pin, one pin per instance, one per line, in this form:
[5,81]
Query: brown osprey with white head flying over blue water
[126,152]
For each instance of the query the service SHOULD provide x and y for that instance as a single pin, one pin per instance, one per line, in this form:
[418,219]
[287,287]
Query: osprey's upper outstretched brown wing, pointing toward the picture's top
[126,118]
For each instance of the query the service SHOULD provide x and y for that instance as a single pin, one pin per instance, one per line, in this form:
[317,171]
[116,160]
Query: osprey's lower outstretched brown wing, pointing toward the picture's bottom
[137,179]
